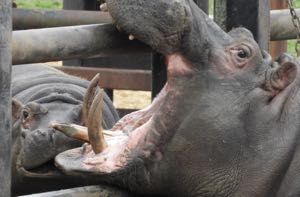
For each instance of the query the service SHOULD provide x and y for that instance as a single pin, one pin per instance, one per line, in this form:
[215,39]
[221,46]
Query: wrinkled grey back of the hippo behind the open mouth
[42,83]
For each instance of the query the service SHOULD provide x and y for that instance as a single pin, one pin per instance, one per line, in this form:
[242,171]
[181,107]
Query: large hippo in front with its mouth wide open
[226,123]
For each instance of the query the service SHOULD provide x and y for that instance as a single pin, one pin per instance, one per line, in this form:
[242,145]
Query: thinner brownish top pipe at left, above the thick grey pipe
[45,18]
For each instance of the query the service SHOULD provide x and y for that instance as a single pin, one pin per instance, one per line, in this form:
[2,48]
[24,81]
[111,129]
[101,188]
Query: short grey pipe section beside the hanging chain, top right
[282,27]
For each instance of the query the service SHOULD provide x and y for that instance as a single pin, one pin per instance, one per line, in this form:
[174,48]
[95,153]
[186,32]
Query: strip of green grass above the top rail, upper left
[53,4]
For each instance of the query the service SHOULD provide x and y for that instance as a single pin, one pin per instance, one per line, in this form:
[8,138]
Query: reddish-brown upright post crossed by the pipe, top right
[278,47]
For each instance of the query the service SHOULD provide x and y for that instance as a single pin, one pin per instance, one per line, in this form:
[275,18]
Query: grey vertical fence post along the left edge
[5,97]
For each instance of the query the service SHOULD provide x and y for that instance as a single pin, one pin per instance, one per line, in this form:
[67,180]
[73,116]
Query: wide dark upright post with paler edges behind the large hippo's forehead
[251,14]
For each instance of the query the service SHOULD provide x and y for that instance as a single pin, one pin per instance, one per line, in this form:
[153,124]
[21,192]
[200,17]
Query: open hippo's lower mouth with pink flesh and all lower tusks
[138,133]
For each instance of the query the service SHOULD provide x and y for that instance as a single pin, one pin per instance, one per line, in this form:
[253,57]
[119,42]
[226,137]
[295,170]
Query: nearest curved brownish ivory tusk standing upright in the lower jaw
[94,124]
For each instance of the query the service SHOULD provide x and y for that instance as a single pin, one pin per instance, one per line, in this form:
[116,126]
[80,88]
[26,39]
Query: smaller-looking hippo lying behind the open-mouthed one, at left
[42,95]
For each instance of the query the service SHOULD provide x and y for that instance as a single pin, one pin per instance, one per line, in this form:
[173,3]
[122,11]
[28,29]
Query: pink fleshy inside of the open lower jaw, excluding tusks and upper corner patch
[130,131]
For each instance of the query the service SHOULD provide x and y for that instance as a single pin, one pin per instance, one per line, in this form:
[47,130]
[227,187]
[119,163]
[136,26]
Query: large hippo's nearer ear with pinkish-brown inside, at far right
[281,77]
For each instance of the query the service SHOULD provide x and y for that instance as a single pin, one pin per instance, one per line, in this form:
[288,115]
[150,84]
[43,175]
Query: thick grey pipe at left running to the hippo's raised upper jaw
[61,43]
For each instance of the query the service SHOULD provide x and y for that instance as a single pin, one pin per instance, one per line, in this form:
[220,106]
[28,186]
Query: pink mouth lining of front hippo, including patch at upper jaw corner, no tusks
[132,131]
